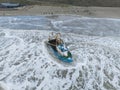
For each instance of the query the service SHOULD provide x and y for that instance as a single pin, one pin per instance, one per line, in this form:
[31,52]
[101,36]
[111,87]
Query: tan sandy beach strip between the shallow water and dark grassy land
[100,12]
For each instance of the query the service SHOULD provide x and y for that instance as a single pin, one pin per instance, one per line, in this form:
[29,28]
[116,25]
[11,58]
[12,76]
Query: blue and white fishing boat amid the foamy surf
[59,49]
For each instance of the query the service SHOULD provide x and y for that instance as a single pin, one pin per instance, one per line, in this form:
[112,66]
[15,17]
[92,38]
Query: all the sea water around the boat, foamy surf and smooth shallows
[26,64]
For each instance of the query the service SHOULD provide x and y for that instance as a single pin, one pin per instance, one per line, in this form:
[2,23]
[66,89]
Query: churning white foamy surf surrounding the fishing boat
[25,63]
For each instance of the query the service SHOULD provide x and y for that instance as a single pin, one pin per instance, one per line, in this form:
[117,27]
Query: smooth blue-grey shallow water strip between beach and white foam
[79,25]
